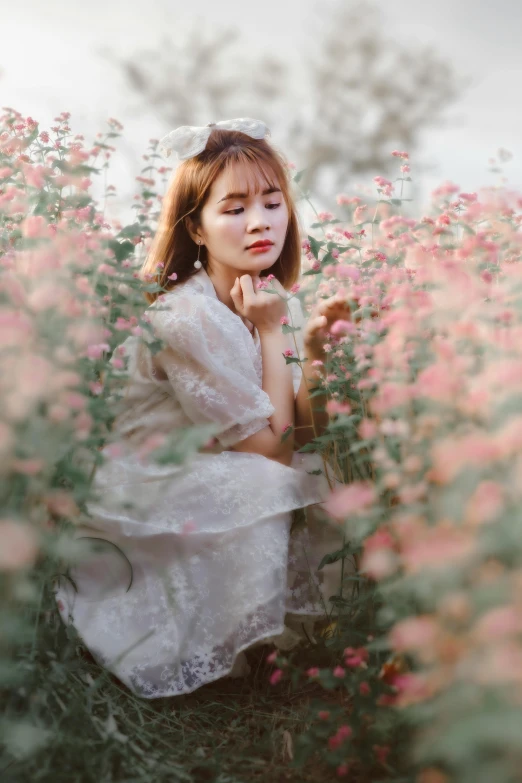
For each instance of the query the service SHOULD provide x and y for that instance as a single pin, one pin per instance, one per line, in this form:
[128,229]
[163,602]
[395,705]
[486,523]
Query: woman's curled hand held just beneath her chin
[264,310]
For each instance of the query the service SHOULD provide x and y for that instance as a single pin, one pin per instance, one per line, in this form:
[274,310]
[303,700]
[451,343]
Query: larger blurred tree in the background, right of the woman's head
[367,95]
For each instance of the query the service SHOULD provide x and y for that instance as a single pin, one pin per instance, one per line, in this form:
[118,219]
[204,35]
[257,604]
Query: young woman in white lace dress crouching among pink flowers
[215,566]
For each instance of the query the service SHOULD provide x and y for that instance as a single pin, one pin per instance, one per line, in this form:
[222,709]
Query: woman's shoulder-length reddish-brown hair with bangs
[173,246]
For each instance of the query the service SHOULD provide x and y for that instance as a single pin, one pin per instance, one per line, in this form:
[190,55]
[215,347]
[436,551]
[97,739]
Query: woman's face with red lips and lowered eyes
[238,212]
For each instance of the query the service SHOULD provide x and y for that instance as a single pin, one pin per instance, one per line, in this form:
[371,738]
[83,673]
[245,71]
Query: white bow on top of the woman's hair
[189,140]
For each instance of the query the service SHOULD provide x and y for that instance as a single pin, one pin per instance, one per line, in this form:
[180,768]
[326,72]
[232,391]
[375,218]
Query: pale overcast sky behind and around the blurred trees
[51,61]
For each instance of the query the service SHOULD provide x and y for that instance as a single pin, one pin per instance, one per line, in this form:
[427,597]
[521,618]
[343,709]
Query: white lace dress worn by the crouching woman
[197,562]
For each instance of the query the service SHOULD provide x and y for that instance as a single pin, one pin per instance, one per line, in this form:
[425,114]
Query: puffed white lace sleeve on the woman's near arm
[213,366]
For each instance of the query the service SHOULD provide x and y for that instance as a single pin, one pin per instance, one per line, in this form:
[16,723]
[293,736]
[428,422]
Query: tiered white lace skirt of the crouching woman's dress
[186,566]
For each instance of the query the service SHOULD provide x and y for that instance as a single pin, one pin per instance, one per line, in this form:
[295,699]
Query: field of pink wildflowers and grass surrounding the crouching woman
[417,675]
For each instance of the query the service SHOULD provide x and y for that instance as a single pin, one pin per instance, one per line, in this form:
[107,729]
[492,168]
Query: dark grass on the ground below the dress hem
[93,730]
